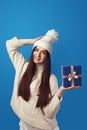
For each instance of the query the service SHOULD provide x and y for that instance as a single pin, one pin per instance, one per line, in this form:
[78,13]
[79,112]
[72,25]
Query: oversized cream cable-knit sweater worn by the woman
[27,111]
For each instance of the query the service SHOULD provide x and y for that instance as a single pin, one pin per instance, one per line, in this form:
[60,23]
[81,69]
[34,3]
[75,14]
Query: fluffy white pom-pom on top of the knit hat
[53,35]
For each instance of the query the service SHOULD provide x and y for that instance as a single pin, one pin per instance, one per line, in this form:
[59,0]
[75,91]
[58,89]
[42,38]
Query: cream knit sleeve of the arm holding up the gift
[51,109]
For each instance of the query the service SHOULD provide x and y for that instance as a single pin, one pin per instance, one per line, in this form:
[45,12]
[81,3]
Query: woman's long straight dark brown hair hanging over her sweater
[44,88]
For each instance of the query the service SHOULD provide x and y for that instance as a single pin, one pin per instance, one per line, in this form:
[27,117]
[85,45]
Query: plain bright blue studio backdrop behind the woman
[32,18]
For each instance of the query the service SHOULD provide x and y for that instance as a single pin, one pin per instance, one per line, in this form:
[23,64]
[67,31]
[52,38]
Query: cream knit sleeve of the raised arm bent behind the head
[16,57]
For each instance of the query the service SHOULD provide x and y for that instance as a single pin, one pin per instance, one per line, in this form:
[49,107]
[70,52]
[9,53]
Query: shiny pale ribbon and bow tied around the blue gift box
[72,75]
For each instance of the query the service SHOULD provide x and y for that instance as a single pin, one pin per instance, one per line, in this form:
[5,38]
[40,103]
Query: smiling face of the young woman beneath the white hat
[39,55]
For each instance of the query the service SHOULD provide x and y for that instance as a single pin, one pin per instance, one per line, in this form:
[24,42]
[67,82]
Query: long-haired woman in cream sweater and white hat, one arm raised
[36,97]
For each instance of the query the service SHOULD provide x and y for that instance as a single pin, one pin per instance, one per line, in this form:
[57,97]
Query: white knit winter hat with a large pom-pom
[46,42]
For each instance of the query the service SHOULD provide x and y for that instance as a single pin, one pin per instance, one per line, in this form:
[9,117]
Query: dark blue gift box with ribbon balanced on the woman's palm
[71,75]
